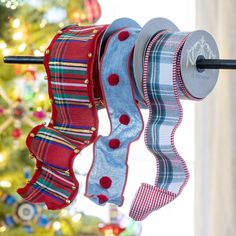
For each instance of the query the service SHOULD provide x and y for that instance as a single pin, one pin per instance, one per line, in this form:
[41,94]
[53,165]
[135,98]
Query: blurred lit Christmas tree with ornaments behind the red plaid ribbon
[26,29]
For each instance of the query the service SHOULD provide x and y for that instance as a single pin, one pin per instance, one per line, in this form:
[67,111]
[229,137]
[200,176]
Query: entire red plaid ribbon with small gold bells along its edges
[70,76]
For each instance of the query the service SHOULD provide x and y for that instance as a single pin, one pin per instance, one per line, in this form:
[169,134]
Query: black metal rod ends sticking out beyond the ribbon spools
[200,63]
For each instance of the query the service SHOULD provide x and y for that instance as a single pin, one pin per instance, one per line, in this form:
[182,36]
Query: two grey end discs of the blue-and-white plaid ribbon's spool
[199,44]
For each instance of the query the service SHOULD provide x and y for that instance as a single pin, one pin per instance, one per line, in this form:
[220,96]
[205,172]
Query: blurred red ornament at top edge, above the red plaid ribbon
[92,10]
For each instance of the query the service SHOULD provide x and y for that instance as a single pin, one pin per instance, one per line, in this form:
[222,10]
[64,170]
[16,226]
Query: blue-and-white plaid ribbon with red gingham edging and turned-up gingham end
[161,89]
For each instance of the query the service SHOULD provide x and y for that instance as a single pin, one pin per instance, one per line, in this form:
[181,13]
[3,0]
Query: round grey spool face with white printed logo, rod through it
[199,83]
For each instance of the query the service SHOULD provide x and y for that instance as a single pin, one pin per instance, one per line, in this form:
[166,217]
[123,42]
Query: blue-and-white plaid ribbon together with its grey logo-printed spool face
[170,73]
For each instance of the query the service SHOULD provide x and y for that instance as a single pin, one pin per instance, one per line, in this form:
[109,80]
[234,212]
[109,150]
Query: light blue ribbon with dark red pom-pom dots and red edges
[107,177]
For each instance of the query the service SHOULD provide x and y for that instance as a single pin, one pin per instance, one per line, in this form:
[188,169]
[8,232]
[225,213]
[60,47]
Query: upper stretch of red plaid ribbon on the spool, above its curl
[69,71]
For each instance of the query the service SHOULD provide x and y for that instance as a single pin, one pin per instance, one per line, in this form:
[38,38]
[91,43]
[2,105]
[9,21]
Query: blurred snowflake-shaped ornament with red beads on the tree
[18,107]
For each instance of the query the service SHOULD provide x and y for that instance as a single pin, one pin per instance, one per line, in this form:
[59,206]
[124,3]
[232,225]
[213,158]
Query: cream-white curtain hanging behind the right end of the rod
[215,198]
